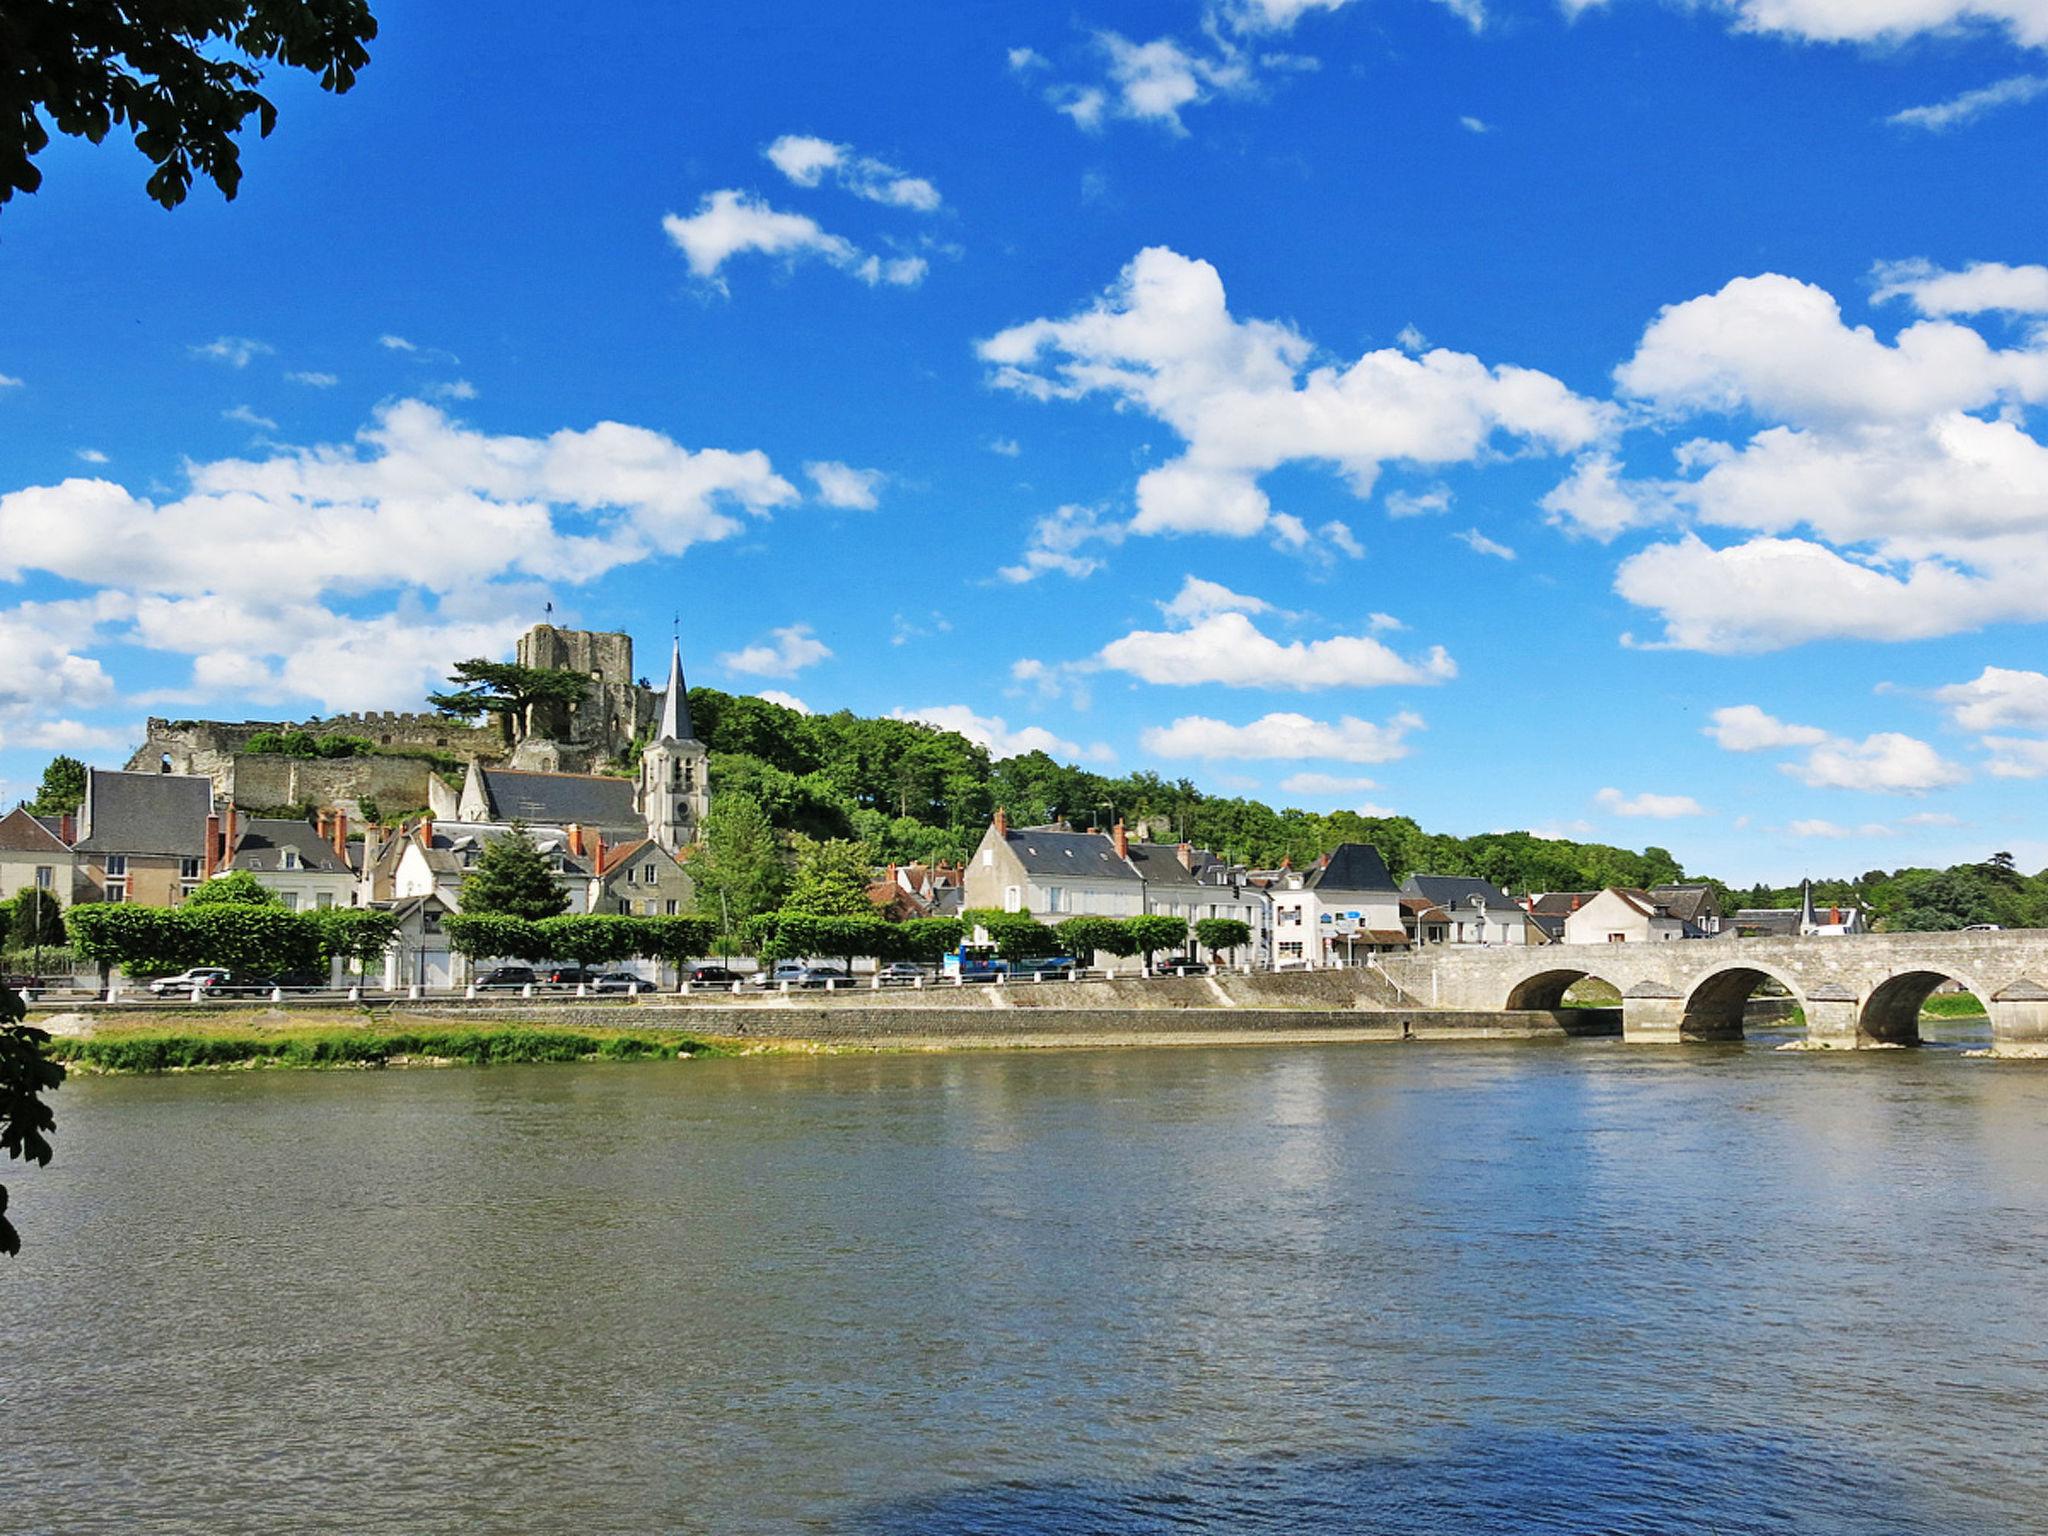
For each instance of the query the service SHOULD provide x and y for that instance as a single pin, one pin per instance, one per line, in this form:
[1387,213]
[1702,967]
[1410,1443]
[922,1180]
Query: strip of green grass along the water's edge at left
[157,1046]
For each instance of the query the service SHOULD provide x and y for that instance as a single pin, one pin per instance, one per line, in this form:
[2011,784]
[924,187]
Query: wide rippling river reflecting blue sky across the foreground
[1404,1291]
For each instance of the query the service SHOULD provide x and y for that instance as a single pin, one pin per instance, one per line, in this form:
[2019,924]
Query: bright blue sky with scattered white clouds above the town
[1617,419]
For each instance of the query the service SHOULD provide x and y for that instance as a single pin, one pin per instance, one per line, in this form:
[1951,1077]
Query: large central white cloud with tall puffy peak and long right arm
[1246,400]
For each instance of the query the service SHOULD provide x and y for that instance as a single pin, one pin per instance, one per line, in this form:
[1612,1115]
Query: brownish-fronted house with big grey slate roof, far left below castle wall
[142,837]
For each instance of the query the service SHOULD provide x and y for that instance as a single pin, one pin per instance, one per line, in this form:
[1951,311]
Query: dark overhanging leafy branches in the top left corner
[181,77]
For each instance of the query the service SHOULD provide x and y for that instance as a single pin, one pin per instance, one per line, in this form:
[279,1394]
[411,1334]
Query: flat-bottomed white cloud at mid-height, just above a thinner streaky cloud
[1228,648]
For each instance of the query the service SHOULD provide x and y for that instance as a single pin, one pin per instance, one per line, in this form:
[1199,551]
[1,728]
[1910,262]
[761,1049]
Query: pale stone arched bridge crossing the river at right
[1863,990]
